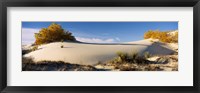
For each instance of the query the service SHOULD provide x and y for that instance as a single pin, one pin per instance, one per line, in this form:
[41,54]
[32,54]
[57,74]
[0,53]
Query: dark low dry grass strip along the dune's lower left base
[29,65]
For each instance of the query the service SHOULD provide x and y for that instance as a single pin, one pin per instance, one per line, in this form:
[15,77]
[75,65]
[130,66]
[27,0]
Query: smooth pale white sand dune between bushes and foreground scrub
[90,54]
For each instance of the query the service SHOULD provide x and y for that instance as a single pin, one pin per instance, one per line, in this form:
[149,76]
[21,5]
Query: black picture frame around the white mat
[98,3]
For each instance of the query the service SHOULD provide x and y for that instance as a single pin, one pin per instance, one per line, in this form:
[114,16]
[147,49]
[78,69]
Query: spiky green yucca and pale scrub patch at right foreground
[135,62]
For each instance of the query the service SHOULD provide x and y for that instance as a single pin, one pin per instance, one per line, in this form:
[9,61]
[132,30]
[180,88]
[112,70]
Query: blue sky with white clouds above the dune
[99,32]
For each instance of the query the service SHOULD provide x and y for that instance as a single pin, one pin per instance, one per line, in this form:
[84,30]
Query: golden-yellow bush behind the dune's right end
[162,36]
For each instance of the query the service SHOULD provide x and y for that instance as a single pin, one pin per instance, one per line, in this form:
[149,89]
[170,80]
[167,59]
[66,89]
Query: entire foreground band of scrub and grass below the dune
[123,62]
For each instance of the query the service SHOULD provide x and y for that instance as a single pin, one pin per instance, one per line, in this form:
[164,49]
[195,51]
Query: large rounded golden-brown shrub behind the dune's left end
[53,33]
